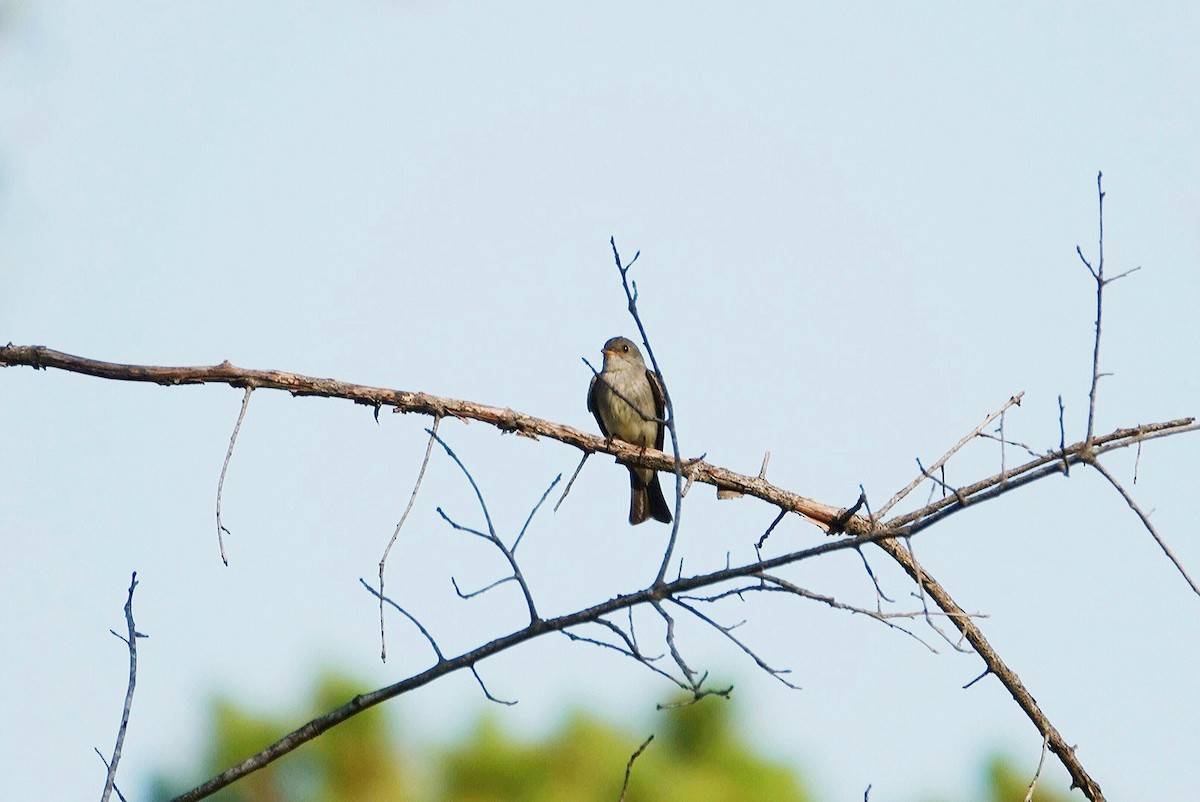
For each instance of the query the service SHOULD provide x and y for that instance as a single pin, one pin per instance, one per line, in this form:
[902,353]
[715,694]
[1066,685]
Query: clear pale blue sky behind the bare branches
[857,229]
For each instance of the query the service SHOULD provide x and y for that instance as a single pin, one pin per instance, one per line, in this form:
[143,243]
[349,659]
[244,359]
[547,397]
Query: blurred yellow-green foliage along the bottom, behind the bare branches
[698,756]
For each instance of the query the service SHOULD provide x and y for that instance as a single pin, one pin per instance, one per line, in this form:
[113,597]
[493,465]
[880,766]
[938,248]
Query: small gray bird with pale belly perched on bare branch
[628,403]
